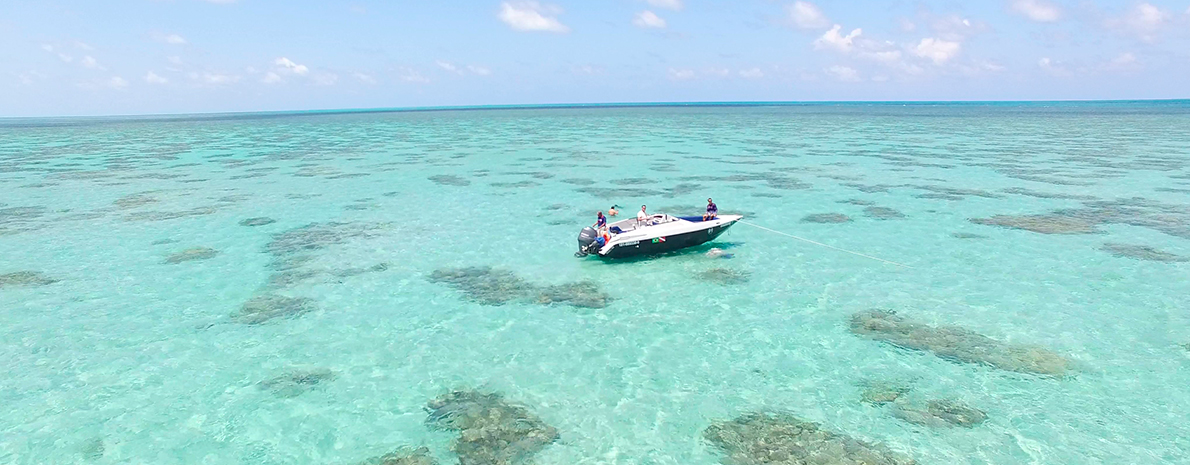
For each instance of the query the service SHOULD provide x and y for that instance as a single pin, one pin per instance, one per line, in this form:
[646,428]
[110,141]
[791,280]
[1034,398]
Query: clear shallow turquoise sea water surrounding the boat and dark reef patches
[115,355]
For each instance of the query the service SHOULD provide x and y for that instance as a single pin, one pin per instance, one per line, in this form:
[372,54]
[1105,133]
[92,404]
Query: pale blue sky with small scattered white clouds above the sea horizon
[76,58]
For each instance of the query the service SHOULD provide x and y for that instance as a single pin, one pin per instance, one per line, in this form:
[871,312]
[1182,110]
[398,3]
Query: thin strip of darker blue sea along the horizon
[580,105]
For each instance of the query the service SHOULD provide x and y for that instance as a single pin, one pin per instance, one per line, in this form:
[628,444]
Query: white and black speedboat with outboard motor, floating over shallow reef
[660,234]
